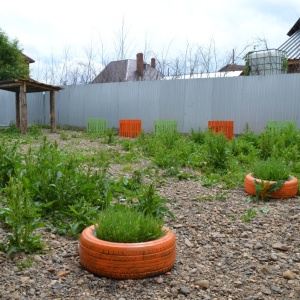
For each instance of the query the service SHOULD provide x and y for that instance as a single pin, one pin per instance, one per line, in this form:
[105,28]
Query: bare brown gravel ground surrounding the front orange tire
[218,255]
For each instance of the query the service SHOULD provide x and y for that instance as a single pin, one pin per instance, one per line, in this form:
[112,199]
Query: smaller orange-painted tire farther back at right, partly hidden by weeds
[288,190]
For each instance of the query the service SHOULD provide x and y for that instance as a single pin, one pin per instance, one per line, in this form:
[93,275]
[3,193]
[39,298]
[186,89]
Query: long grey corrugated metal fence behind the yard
[192,102]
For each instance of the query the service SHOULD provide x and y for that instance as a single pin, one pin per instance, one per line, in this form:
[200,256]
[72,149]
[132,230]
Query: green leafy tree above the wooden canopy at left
[12,63]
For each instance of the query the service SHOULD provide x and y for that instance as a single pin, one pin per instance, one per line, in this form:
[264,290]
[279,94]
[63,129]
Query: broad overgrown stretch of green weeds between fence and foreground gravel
[69,187]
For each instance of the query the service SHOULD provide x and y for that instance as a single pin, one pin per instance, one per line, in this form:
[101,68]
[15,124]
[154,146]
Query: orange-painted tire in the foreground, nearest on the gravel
[126,260]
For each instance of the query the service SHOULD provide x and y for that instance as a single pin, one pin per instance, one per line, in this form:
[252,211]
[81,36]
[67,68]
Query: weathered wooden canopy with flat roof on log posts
[23,86]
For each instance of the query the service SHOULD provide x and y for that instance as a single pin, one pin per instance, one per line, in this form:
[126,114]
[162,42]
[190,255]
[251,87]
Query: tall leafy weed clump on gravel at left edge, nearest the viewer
[22,216]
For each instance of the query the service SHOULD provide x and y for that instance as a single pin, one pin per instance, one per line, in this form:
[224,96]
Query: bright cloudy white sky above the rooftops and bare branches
[45,29]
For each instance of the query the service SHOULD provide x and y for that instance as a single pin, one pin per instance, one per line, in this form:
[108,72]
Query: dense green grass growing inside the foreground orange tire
[120,223]
